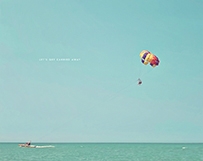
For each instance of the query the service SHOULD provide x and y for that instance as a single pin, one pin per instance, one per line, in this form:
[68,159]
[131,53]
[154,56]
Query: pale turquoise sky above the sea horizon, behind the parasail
[69,70]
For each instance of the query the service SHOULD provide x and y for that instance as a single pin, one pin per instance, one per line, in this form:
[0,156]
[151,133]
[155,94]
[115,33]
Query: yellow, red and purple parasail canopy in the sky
[147,57]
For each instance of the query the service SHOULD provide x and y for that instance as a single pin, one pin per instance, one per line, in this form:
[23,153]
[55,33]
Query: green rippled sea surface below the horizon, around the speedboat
[102,152]
